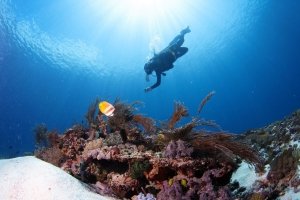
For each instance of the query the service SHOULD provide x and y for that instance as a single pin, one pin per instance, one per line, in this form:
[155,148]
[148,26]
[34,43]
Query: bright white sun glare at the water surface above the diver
[135,13]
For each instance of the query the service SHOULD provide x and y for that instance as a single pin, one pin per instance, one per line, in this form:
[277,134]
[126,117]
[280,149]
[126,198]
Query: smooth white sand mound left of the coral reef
[28,178]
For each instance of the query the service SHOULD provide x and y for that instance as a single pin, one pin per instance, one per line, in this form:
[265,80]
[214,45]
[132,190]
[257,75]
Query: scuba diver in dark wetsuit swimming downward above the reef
[163,61]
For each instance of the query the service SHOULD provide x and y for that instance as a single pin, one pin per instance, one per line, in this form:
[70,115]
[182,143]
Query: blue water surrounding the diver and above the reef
[57,56]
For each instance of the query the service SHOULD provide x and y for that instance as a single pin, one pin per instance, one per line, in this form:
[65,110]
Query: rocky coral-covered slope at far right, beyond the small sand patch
[279,144]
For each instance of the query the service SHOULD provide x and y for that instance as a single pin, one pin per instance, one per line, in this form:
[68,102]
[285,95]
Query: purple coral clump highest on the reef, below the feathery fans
[178,149]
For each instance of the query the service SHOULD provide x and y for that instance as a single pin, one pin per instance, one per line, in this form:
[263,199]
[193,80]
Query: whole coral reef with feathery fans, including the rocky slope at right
[128,157]
